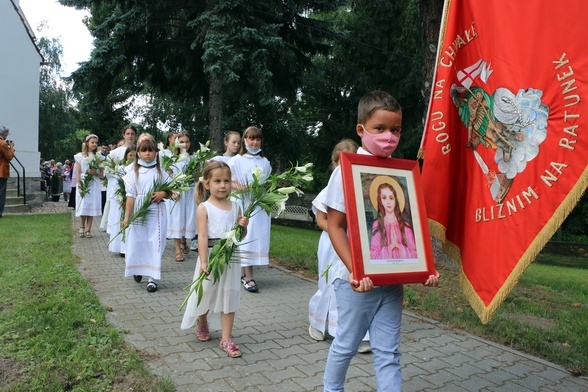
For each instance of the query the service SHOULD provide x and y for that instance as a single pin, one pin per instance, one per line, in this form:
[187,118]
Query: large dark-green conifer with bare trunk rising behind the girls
[193,51]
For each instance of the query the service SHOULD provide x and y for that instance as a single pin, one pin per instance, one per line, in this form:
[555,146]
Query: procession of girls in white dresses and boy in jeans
[171,192]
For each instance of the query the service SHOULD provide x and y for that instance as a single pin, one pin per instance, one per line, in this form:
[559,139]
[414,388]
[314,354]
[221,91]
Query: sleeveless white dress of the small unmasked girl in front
[222,296]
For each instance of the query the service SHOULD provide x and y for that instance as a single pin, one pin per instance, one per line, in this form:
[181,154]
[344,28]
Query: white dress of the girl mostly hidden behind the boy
[322,307]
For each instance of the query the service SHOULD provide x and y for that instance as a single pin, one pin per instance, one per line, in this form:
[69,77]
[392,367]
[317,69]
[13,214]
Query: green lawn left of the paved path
[53,333]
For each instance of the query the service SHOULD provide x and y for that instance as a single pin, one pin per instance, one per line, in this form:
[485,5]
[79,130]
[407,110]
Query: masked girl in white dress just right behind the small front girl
[255,248]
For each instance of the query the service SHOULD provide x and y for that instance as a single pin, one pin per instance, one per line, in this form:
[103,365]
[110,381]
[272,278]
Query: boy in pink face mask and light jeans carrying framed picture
[361,306]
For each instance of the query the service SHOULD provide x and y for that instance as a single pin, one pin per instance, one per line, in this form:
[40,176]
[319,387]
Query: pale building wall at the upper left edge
[19,86]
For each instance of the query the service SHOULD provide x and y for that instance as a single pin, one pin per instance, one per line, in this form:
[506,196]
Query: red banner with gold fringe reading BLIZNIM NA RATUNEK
[506,144]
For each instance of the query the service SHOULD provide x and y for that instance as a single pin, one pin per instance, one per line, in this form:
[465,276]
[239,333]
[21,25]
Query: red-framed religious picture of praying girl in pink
[386,219]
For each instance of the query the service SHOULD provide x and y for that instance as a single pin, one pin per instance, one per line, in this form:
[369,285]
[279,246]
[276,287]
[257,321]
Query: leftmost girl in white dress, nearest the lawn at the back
[90,205]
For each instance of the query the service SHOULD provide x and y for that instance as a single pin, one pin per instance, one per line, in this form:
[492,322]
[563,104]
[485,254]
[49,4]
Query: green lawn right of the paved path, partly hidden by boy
[545,315]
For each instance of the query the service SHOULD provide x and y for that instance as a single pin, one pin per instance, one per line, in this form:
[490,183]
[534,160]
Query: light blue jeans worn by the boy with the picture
[380,312]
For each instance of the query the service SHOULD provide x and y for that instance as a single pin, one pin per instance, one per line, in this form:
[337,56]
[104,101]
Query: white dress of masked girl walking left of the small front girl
[145,243]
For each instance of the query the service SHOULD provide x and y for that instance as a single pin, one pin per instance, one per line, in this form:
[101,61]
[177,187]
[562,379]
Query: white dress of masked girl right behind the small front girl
[255,248]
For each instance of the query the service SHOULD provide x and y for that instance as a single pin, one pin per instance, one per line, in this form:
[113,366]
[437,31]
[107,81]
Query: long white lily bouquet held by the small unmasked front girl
[268,193]
